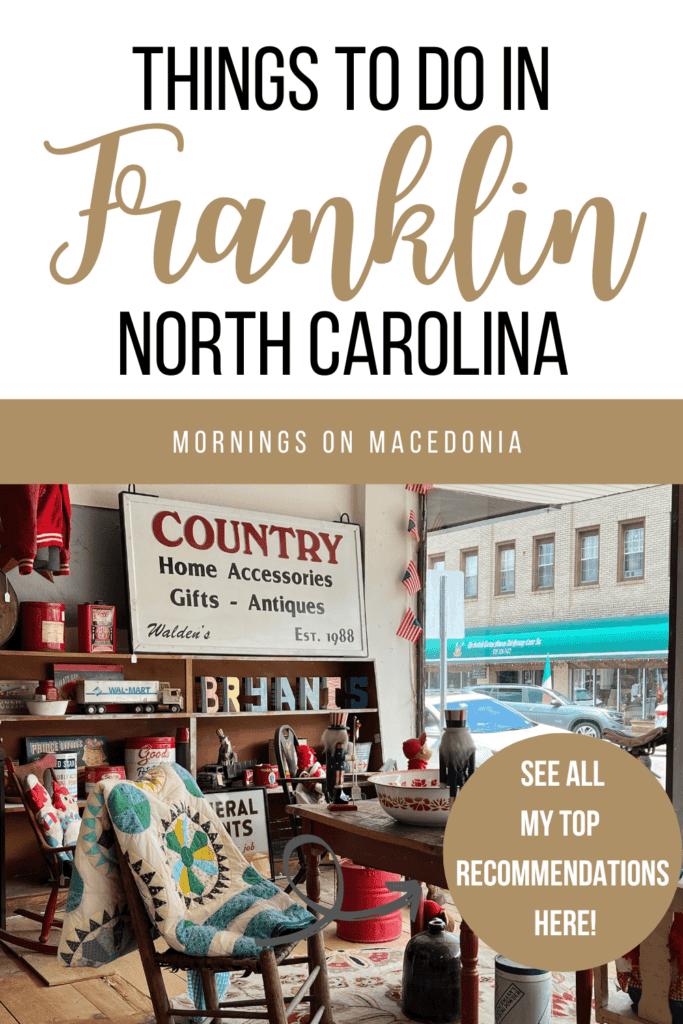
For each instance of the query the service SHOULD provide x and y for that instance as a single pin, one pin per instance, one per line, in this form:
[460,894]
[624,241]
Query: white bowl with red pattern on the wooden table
[414,798]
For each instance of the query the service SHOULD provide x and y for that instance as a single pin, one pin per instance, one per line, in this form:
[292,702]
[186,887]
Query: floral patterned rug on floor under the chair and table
[366,988]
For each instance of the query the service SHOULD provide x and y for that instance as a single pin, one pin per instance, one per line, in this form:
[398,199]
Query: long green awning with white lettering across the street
[637,637]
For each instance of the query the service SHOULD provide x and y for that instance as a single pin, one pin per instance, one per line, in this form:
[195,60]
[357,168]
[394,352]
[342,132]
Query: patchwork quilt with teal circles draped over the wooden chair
[202,895]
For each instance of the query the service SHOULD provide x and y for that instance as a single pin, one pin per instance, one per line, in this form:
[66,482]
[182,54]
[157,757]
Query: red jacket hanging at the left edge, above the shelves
[35,529]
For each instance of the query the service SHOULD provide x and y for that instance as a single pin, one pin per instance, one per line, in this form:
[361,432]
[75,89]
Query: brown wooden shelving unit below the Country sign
[249,732]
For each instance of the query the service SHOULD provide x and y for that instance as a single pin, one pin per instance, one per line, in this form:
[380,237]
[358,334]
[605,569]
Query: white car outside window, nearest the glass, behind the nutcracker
[493,724]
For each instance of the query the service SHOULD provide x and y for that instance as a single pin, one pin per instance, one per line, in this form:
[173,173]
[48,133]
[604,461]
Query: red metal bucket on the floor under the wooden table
[364,888]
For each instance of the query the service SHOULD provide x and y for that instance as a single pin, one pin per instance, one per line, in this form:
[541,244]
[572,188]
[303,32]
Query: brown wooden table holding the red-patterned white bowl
[371,838]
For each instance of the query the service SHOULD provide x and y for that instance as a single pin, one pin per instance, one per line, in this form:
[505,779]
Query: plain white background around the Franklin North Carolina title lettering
[611,132]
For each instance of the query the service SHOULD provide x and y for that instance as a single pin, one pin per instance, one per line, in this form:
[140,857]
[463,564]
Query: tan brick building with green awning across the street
[584,583]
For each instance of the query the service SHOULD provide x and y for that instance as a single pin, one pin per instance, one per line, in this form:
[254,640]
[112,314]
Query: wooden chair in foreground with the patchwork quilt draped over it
[315,991]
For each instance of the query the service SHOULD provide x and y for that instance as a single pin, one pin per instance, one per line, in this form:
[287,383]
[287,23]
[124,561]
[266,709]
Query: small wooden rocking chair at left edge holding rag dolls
[18,777]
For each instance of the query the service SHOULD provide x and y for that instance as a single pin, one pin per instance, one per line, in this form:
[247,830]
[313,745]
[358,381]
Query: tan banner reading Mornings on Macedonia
[344,442]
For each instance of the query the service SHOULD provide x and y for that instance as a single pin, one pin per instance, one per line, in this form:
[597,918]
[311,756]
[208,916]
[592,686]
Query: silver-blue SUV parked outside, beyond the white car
[547,707]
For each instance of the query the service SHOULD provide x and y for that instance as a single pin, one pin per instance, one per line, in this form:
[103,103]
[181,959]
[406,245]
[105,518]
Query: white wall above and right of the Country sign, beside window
[382,511]
